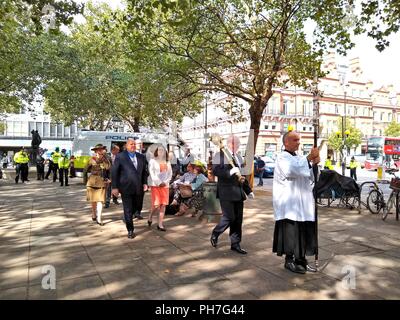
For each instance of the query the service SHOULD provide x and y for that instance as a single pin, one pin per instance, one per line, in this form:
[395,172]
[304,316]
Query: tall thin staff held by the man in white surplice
[315,166]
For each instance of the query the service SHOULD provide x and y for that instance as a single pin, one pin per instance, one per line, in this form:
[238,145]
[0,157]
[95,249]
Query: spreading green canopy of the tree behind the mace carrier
[242,48]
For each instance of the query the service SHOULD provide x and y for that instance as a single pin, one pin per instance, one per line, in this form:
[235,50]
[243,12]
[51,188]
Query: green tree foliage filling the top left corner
[20,23]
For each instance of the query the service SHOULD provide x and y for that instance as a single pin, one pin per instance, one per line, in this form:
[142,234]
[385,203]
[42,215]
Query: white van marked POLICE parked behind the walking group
[84,141]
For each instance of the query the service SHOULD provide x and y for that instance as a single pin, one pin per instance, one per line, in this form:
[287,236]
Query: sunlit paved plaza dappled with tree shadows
[43,224]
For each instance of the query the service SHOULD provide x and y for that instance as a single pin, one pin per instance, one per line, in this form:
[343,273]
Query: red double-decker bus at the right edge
[382,151]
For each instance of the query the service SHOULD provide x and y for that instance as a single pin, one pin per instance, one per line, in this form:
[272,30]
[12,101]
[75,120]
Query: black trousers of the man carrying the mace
[232,218]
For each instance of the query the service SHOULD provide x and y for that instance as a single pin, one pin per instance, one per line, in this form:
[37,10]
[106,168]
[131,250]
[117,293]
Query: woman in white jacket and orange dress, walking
[160,174]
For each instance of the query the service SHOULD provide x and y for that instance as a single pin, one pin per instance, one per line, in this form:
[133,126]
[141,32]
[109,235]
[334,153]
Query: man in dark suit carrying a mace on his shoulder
[231,196]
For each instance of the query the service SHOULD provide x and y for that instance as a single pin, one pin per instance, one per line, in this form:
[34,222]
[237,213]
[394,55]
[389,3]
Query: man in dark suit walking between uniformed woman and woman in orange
[129,177]
